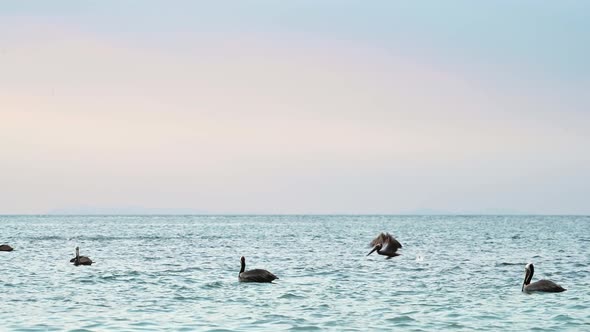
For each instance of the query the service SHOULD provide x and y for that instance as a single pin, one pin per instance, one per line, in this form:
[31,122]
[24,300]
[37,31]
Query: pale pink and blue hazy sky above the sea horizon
[295,107]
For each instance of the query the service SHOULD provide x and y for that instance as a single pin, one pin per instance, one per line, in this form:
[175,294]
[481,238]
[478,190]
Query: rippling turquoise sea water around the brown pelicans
[181,273]
